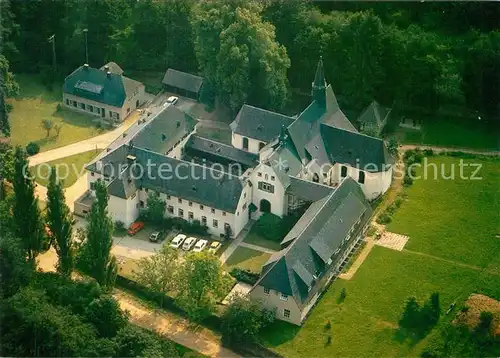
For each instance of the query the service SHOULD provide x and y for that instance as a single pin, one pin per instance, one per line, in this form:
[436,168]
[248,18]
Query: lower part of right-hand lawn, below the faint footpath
[365,324]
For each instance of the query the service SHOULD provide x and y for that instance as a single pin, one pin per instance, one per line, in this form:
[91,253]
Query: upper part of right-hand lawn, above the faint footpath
[454,219]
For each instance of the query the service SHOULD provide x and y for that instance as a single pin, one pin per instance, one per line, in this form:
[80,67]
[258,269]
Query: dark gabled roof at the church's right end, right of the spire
[357,150]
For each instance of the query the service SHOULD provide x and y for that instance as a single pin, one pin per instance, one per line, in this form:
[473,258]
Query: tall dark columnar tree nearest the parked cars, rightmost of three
[95,252]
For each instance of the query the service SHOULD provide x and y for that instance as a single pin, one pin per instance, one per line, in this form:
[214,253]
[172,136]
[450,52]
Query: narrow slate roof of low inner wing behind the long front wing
[221,150]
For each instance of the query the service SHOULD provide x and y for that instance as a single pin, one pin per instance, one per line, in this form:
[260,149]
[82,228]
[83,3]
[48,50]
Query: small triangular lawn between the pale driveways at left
[69,169]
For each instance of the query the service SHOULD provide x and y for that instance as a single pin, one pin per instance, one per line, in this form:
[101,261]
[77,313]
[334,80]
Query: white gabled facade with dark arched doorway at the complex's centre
[277,198]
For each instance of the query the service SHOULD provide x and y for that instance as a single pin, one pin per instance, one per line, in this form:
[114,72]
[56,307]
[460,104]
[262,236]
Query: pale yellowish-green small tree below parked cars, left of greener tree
[157,272]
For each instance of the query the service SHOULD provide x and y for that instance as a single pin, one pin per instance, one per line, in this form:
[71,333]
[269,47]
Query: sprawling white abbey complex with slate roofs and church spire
[275,164]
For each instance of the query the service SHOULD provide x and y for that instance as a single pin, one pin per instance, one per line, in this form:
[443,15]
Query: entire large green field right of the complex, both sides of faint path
[454,251]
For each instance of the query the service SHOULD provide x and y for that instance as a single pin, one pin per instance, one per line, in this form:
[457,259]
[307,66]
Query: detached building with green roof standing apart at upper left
[103,92]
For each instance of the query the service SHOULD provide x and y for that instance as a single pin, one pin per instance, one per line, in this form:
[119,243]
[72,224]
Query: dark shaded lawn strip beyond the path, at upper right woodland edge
[453,133]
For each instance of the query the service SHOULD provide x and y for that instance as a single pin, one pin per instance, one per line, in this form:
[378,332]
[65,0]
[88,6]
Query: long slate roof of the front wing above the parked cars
[182,179]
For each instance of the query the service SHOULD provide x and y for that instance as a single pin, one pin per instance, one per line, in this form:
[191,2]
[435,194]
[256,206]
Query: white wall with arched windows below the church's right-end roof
[375,184]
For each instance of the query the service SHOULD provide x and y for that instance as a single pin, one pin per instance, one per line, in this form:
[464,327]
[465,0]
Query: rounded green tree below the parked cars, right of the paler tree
[199,279]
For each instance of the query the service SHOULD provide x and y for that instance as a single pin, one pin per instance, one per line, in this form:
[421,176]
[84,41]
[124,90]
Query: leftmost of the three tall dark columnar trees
[28,222]
